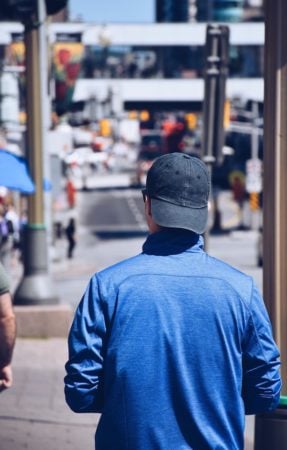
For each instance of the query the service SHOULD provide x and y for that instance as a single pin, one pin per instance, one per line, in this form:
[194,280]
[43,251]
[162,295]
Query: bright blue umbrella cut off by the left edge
[14,173]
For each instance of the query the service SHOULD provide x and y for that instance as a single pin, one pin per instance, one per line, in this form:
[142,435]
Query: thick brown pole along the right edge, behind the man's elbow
[271,429]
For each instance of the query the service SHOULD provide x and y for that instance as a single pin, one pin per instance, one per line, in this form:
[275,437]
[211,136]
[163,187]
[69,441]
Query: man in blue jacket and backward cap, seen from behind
[172,346]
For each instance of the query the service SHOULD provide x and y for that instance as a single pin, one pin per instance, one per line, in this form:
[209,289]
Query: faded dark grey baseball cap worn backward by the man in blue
[178,186]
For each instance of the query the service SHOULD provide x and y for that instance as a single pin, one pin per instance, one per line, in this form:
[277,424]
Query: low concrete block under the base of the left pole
[43,321]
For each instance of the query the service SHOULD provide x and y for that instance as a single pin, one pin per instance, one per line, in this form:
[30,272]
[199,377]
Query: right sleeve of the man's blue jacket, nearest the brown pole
[261,363]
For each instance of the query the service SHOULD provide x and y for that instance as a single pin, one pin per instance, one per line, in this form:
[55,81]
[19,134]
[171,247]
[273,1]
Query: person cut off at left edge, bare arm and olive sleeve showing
[7,331]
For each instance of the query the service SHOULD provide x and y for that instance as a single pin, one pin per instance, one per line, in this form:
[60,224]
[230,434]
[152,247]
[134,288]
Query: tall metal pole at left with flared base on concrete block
[36,286]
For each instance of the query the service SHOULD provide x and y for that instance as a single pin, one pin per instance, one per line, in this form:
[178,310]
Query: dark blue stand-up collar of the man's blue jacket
[172,242]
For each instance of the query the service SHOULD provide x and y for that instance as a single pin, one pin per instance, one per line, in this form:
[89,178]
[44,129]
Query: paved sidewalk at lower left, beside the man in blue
[33,414]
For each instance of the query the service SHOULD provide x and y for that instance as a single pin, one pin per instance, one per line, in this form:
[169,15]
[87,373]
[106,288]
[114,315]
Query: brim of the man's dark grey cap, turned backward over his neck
[175,216]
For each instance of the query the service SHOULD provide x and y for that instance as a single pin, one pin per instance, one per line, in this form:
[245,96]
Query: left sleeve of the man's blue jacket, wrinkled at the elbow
[86,342]
